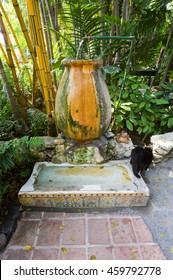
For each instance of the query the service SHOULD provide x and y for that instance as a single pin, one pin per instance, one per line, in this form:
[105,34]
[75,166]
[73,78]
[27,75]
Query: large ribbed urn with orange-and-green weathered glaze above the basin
[82,106]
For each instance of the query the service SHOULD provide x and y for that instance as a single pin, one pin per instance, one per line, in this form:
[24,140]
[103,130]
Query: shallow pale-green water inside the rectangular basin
[78,177]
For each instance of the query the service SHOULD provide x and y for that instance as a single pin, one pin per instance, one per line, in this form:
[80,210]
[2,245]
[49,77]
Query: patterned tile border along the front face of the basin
[81,200]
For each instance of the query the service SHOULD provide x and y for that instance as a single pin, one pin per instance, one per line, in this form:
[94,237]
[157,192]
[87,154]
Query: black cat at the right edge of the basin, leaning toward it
[141,159]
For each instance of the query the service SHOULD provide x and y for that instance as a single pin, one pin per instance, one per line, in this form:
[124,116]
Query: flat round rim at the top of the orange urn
[68,61]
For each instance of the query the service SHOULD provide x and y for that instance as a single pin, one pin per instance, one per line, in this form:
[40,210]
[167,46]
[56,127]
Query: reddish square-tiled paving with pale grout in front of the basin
[72,236]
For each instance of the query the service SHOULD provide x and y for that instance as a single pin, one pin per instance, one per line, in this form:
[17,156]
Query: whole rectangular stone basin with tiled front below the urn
[80,186]
